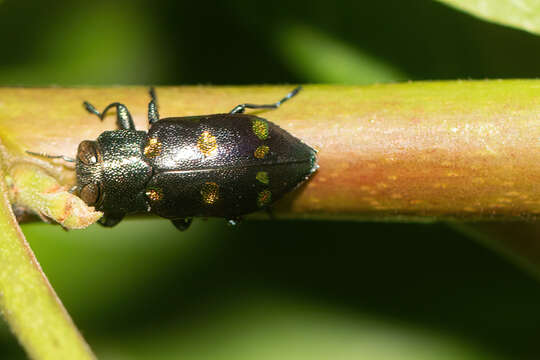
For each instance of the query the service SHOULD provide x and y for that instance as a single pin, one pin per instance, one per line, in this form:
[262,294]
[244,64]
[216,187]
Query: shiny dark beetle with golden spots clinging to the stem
[220,165]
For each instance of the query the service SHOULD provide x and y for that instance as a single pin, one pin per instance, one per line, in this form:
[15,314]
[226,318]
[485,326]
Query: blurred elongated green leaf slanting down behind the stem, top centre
[319,58]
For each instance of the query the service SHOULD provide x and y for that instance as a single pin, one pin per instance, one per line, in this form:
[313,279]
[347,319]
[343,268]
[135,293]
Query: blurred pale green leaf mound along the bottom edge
[267,328]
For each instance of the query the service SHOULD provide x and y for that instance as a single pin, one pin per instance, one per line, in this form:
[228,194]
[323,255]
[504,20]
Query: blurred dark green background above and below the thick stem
[274,290]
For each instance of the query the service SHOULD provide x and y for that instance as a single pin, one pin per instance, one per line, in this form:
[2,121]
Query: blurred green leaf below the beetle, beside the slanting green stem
[115,262]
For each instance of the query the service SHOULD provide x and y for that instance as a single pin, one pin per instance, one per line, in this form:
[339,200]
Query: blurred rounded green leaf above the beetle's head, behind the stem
[113,42]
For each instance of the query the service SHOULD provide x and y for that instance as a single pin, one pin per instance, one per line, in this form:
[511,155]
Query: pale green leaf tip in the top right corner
[521,14]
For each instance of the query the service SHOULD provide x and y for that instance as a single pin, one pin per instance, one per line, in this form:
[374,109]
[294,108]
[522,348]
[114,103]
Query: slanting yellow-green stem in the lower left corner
[28,302]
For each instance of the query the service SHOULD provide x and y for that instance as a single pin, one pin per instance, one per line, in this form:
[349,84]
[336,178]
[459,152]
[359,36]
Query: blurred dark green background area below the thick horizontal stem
[143,290]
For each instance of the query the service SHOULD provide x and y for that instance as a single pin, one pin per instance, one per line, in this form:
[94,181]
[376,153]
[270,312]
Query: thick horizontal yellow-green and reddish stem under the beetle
[415,151]
